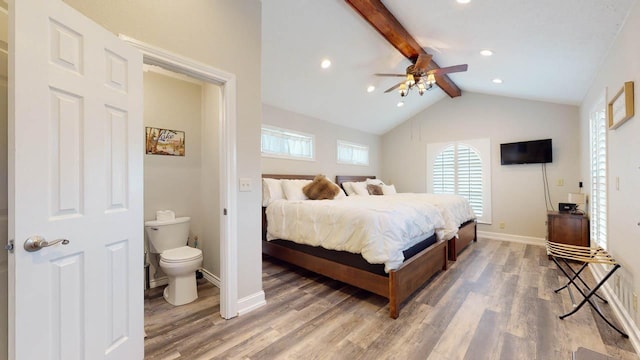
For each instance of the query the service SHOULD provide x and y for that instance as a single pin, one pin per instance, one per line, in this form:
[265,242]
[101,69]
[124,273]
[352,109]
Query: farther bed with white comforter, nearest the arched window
[461,227]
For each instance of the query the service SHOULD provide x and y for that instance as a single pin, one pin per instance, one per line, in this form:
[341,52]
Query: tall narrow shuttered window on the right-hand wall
[598,206]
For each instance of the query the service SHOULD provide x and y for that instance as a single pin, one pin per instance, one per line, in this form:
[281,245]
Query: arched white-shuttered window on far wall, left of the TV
[463,168]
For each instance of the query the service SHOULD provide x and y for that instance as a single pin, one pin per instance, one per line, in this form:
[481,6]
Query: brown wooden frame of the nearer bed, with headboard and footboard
[396,286]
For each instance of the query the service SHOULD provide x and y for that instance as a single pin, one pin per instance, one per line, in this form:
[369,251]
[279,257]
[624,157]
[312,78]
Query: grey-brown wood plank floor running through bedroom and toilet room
[495,302]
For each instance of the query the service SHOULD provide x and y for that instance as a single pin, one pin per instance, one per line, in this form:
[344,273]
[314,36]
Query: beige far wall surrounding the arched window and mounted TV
[517,190]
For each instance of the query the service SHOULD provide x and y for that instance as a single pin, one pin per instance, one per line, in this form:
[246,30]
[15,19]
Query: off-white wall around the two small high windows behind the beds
[326,136]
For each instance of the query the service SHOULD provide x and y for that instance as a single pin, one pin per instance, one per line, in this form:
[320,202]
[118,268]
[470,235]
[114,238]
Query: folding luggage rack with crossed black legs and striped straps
[560,253]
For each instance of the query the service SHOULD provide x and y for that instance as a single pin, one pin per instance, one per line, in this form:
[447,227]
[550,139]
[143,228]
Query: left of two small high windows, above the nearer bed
[276,142]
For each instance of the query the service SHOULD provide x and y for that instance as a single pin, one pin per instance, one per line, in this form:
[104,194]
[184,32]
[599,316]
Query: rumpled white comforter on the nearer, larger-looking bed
[378,227]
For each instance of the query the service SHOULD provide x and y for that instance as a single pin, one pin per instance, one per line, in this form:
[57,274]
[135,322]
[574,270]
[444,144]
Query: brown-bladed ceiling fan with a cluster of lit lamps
[420,77]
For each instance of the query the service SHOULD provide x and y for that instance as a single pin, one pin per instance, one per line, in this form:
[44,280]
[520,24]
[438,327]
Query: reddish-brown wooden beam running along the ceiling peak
[376,14]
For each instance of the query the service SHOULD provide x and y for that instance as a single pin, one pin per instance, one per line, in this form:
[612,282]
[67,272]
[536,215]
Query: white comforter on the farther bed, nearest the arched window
[455,209]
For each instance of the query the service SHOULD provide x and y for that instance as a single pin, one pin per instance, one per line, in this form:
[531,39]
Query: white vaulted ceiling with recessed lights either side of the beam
[545,50]
